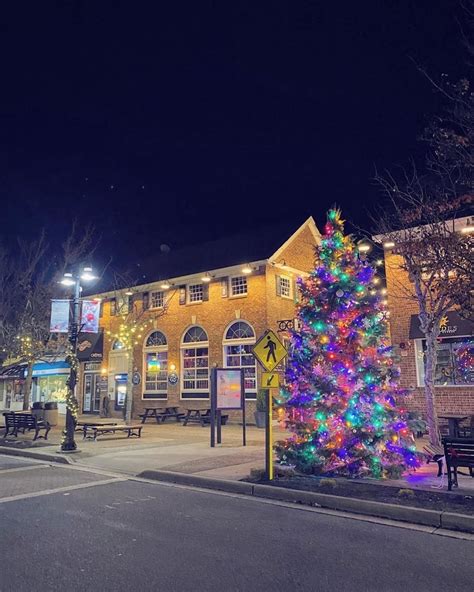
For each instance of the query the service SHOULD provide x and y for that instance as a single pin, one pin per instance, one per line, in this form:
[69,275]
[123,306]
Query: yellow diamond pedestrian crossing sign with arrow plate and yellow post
[269,351]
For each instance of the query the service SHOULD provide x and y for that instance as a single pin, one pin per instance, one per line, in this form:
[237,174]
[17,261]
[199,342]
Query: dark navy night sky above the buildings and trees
[171,122]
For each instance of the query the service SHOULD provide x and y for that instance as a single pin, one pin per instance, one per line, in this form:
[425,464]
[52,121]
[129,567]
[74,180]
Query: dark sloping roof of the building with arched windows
[201,257]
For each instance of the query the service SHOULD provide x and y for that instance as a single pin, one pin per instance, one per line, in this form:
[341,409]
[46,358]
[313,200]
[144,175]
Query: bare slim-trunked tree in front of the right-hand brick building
[438,259]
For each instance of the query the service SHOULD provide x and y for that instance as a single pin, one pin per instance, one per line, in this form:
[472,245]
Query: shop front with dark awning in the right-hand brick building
[455,351]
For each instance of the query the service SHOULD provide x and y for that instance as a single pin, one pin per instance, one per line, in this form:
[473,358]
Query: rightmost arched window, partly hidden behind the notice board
[238,341]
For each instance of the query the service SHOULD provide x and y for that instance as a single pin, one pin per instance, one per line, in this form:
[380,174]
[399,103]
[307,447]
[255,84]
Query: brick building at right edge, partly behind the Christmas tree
[454,384]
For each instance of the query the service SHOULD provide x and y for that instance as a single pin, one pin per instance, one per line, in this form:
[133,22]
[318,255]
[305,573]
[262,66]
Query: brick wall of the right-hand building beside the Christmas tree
[455,399]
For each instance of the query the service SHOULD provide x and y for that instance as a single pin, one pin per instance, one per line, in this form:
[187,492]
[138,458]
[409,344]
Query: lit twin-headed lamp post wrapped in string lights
[68,443]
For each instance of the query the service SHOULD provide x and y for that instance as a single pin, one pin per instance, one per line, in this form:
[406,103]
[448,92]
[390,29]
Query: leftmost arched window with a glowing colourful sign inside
[155,363]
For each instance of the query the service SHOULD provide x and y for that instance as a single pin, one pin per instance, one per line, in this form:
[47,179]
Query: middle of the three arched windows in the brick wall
[195,364]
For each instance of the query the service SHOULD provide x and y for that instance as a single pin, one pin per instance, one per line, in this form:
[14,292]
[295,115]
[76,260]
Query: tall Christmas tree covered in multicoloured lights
[341,396]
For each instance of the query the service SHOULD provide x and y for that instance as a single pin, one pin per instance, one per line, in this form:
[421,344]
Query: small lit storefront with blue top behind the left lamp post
[49,383]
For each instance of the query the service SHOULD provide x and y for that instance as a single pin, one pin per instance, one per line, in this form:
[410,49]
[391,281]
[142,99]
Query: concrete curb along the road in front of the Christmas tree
[434,518]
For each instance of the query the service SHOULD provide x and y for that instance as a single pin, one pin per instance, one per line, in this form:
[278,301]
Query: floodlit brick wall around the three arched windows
[261,307]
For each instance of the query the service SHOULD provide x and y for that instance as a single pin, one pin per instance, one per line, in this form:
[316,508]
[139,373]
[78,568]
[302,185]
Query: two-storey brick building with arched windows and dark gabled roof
[204,307]
